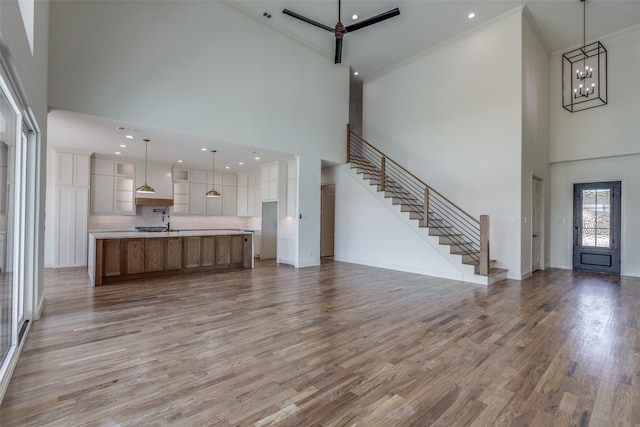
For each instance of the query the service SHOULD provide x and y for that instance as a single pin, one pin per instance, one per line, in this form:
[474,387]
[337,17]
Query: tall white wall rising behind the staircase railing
[454,118]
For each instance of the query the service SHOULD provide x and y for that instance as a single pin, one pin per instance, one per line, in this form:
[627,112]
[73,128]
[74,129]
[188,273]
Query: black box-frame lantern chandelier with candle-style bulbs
[586,87]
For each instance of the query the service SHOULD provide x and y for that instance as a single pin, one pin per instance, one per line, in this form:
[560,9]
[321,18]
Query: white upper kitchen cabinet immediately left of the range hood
[112,186]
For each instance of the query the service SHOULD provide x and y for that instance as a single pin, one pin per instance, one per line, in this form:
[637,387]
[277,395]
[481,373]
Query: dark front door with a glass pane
[596,227]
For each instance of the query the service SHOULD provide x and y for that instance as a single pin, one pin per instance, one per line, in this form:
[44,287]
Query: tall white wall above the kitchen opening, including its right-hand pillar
[203,68]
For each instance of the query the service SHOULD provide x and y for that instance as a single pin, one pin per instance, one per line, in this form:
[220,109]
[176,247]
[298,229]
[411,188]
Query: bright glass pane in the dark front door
[596,218]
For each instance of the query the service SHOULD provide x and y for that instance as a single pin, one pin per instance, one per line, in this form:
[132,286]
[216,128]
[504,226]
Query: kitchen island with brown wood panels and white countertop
[126,255]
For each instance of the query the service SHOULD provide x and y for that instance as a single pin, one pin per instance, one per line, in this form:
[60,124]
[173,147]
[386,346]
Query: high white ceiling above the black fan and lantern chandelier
[424,24]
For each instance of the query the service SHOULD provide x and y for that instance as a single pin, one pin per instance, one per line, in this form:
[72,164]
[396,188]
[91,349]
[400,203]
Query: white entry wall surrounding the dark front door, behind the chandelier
[601,144]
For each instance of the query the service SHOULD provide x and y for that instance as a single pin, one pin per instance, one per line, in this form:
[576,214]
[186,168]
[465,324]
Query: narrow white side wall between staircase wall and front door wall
[535,139]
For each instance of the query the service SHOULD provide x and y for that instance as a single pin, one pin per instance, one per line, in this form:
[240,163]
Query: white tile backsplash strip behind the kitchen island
[146,217]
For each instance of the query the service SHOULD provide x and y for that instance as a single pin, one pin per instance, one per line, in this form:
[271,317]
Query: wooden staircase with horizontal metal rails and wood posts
[466,237]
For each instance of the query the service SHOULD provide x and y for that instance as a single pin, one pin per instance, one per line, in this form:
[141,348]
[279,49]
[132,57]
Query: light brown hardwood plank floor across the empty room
[335,345]
